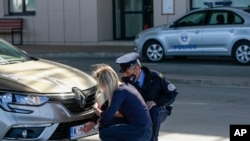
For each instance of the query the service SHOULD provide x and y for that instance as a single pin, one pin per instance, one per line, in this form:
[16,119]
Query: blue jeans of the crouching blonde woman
[125,132]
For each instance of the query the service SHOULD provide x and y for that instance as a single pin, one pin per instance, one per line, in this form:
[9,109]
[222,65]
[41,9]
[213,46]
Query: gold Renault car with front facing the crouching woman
[41,99]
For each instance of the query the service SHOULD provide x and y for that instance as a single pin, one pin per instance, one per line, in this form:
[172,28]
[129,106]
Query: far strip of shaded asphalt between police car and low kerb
[196,71]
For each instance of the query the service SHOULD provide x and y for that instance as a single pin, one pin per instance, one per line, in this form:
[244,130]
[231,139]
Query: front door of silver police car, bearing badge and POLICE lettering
[184,37]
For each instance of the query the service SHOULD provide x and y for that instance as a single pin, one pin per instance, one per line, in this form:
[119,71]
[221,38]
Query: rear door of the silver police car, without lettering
[218,34]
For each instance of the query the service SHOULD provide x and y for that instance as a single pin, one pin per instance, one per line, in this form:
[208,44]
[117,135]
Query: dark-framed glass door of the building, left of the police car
[131,17]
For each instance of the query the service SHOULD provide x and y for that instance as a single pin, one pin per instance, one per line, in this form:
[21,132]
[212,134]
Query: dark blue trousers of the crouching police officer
[158,115]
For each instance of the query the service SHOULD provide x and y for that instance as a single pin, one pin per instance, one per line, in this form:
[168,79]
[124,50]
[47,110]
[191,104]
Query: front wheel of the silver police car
[153,51]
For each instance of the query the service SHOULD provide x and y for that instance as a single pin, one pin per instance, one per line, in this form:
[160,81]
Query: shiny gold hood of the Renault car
[43,76]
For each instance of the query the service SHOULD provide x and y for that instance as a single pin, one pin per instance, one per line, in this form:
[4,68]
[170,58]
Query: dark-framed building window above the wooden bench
[22,7]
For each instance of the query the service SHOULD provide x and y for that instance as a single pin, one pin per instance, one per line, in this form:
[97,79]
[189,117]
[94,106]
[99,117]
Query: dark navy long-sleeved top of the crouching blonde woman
[128,101]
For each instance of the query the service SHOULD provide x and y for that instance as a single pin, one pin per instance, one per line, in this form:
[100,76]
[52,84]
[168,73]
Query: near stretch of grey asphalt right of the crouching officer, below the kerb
[203,114]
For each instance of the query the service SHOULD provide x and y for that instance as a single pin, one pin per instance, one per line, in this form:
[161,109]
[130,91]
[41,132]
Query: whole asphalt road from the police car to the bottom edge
[202,111]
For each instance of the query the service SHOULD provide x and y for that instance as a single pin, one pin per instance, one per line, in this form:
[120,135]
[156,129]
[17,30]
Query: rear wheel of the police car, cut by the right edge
[242,52]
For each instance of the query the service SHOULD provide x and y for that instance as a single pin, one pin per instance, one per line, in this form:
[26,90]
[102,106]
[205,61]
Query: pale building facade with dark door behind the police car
[77,22]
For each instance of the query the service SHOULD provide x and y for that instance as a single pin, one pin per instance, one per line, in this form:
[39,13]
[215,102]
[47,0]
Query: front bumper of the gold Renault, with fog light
[50,121]
